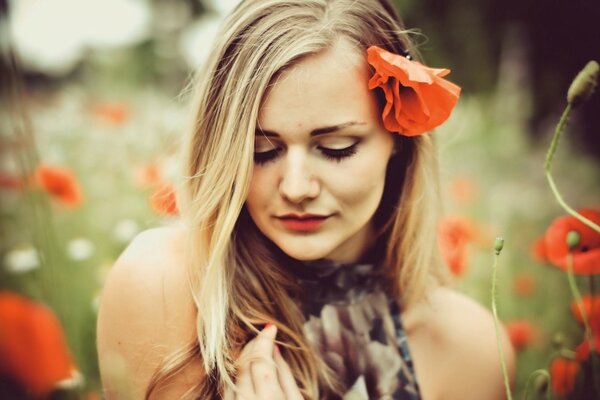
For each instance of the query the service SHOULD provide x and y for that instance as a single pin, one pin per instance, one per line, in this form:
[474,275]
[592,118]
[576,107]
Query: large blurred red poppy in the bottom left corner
[33,351]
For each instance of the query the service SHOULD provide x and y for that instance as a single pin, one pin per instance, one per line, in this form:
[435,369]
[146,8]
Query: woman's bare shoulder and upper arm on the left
[146,312]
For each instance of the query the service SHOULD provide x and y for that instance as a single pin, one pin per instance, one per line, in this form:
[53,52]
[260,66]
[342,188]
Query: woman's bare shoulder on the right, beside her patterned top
[454,346]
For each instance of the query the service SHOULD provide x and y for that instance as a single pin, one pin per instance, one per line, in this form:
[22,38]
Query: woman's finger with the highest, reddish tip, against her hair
[263,368]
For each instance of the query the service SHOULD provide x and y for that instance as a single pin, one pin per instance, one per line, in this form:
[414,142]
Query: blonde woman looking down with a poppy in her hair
[305,264]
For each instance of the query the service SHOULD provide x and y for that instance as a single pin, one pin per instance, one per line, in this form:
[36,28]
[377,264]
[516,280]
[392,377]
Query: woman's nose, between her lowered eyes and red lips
[298,182]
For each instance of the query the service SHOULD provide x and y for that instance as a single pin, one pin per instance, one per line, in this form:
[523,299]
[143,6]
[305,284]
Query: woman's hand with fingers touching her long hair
[263,373]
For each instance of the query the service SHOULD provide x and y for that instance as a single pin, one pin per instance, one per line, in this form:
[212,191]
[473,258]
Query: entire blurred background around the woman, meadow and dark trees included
[93,106]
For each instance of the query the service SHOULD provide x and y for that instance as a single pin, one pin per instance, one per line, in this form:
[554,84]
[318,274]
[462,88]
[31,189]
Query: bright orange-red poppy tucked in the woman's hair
[418,99]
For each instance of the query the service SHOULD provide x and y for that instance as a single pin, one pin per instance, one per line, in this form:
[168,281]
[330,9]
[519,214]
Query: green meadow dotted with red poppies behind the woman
[90,158]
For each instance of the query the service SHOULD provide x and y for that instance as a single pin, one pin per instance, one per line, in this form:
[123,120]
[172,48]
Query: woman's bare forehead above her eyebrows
[323,89]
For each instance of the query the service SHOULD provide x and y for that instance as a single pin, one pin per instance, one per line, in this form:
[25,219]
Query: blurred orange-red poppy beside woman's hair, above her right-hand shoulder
[454,234]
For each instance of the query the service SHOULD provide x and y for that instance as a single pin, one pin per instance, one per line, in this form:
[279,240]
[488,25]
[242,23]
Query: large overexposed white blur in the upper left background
[52,36]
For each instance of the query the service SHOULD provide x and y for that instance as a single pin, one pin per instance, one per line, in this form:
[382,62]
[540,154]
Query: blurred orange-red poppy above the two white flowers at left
[60,183]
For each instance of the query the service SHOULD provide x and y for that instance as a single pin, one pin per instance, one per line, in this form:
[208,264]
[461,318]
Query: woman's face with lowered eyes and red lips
[320,158]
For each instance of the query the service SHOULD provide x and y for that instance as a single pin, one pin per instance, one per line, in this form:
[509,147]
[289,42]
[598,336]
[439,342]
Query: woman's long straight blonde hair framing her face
[235,276]
